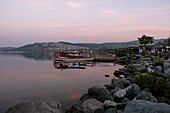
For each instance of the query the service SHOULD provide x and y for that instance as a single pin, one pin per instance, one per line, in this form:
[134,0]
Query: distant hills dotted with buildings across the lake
[57,46]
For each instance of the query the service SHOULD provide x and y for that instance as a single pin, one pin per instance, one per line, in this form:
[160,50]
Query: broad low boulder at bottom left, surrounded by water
[36,107]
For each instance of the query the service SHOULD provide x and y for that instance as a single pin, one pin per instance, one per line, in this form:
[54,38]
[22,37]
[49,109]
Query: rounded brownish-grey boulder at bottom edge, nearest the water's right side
[92,106]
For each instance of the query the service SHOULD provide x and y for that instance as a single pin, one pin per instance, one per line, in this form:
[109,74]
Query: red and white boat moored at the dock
[72,56]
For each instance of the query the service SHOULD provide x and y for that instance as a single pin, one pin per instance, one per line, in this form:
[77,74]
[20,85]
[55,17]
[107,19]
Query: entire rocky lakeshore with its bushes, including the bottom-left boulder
[140,87]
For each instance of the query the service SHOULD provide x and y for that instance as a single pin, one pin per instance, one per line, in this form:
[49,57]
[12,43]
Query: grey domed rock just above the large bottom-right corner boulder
[145,95]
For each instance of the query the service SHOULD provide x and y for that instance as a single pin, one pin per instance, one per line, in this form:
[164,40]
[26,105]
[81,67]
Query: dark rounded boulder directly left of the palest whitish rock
[104,94]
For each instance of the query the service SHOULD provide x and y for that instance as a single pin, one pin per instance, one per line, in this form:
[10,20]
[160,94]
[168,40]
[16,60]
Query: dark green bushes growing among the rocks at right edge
[157,85]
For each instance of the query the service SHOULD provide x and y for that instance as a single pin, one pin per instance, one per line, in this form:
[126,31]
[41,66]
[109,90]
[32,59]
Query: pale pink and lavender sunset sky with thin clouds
[96,21]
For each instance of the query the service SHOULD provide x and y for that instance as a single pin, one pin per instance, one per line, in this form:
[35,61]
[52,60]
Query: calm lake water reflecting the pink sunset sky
[31,77]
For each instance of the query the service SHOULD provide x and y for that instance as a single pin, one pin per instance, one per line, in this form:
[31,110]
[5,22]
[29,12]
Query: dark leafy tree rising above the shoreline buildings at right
[146,40]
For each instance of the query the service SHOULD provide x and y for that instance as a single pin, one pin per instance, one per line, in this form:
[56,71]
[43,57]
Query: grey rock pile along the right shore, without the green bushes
[123,95]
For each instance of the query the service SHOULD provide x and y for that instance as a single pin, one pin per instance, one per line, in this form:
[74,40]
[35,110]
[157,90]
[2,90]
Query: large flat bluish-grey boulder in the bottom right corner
[143,106]
